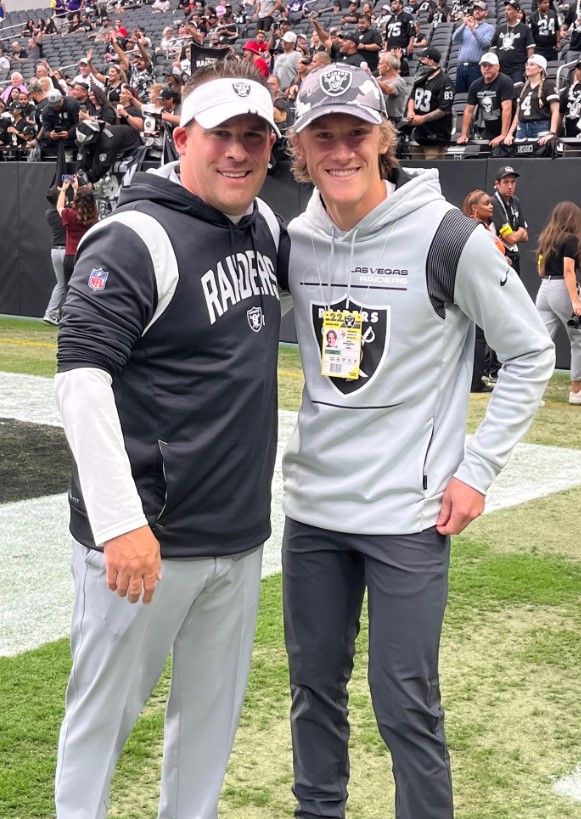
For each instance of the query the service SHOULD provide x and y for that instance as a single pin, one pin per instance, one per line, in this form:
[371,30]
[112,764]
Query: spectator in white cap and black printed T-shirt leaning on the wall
[493,93]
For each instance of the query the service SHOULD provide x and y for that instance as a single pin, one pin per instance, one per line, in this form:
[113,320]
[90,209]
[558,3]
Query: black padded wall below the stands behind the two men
[26,276]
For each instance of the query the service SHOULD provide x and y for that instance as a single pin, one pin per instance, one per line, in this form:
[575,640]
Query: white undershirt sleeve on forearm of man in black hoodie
[91,423]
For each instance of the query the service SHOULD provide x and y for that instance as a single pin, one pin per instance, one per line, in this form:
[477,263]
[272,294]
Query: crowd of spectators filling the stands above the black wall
[443,67]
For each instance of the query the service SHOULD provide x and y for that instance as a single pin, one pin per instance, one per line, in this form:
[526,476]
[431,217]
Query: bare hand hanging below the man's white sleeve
[133,564]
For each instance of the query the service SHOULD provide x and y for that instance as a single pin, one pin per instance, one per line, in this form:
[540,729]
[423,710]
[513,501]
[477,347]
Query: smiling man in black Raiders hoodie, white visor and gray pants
[167,388]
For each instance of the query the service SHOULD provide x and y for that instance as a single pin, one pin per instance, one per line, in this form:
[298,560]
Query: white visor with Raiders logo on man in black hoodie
[216,101]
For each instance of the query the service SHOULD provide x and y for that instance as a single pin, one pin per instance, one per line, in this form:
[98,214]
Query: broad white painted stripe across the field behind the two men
[36,587]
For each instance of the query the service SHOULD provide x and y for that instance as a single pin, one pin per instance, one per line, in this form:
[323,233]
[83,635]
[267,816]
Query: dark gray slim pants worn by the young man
[324,579]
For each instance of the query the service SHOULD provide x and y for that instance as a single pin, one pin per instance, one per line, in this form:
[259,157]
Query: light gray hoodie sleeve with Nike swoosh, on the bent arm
[490,292]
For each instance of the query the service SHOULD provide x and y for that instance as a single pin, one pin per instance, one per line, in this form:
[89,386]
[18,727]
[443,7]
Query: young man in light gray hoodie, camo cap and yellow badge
[376,475]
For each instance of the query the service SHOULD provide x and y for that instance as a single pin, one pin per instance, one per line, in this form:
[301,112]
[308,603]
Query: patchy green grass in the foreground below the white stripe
[510,660]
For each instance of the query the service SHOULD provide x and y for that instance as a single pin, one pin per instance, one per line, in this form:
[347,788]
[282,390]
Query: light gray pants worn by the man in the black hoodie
[204,614]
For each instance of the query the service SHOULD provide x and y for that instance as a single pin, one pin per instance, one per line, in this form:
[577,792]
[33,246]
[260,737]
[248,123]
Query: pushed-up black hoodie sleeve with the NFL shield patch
[112,297]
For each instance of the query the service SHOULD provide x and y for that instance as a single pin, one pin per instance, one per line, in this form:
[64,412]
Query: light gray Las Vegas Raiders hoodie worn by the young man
[374,456]
